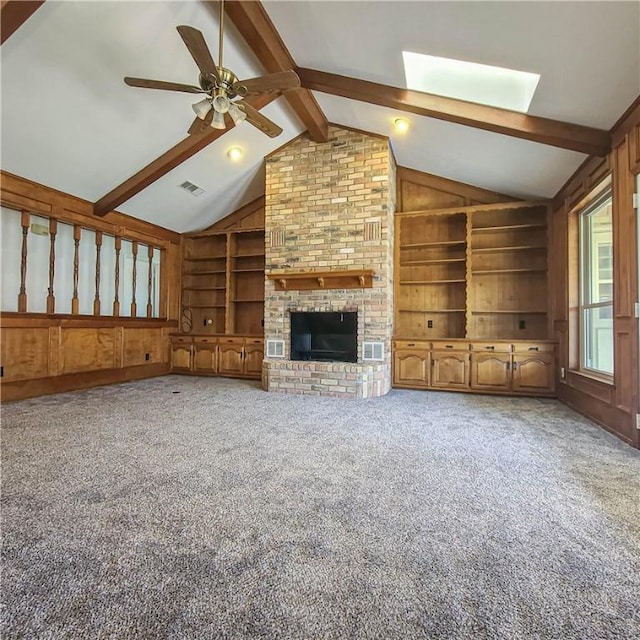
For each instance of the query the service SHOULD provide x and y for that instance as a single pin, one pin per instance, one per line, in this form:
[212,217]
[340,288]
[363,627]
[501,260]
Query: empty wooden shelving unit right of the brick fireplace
[472,272]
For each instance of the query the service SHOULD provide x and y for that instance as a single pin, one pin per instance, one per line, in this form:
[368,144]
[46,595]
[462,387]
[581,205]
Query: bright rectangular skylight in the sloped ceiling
[470,81]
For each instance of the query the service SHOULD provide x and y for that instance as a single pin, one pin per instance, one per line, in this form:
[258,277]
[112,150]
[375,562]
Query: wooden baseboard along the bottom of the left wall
[22,389]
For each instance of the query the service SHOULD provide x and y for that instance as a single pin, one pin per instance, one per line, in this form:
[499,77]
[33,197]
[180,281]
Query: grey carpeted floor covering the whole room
[206,508]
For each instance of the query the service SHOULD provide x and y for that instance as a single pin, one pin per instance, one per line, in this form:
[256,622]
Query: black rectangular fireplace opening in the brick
[330,336]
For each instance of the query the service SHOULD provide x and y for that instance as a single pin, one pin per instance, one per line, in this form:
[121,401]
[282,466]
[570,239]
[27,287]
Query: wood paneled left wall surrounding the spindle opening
[49,353]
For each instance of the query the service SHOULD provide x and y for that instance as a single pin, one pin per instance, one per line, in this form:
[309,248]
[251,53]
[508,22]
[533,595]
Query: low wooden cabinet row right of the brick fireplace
[467,365]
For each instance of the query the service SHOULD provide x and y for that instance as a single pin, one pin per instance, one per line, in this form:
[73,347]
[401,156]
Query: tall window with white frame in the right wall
[596,286]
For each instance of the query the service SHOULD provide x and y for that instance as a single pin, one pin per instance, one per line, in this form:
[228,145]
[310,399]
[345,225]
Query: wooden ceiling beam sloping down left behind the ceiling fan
[169,160]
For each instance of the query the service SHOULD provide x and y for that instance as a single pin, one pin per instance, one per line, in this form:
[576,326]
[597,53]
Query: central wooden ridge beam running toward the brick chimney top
[252,21]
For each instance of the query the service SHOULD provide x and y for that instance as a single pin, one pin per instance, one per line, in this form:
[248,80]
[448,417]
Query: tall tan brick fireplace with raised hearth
[329,207]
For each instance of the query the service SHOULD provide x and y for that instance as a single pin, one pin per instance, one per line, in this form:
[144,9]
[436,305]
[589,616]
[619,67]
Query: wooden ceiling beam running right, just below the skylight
[511,123]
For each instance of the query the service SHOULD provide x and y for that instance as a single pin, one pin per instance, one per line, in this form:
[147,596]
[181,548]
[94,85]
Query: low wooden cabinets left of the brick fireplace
[235,356]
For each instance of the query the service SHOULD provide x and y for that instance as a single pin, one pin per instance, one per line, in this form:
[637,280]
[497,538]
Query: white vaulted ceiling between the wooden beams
[68,120]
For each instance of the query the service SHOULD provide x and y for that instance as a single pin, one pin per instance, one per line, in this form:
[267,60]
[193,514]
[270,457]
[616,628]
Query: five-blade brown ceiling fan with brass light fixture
[222,87]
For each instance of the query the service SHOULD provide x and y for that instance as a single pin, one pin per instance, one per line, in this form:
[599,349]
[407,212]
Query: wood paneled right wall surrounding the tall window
[613,405]
